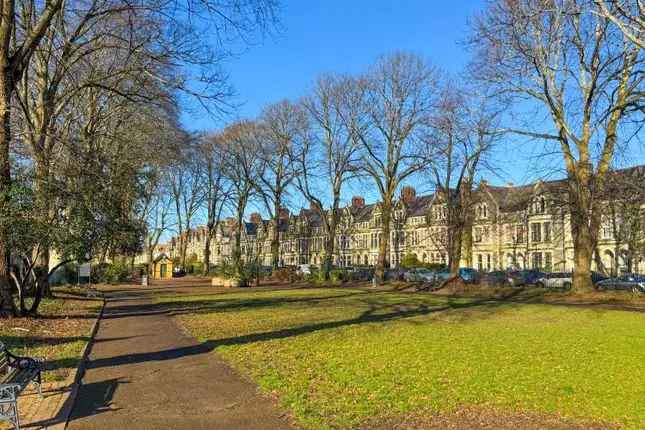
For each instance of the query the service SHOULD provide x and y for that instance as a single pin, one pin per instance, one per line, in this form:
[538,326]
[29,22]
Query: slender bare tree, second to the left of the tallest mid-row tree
[278,129]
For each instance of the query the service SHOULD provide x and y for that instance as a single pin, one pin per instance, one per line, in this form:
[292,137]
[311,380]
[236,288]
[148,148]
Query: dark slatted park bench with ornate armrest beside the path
[15,374]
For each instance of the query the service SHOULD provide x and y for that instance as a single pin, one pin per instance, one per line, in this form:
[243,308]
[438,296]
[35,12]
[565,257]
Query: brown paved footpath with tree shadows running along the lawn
[145,373]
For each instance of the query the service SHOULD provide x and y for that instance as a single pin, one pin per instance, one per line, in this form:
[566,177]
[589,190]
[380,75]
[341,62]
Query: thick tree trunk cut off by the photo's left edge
[7,307]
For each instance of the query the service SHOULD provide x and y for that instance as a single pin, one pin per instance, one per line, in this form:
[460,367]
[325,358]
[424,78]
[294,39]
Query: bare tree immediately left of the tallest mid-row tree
[329,155]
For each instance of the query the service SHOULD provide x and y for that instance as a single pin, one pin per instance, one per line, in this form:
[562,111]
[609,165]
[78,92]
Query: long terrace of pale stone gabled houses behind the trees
[512,226]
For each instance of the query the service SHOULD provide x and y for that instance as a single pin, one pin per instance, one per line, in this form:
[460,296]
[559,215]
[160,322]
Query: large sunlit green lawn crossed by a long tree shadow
[337,357]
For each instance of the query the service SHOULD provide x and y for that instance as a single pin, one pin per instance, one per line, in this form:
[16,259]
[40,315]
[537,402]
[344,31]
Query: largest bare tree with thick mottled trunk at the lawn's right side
[574,65]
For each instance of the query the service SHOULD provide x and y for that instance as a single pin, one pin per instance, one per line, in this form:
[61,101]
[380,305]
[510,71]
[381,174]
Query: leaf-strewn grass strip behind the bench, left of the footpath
[59,334]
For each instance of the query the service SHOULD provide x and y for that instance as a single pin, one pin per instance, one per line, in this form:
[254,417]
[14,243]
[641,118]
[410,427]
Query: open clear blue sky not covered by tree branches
[347,36]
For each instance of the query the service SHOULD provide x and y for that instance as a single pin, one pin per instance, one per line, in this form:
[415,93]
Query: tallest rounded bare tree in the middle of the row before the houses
[398,96]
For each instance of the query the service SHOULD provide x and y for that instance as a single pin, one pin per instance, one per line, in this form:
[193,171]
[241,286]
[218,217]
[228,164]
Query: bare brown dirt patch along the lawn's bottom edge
[484,419]
